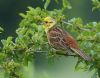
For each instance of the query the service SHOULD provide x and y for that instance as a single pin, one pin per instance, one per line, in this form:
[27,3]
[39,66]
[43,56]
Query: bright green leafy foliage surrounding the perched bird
[31,39]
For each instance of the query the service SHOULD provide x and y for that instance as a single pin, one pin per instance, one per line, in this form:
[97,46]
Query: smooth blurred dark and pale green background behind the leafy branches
[62,67]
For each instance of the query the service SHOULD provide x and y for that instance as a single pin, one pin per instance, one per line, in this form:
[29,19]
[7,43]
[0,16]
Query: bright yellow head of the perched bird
[49,22]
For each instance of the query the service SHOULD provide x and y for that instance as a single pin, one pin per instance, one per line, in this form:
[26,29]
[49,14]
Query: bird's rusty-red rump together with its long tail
[69,40]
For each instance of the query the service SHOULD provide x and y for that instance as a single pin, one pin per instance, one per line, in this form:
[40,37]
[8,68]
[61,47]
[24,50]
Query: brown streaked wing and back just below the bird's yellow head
[56,38]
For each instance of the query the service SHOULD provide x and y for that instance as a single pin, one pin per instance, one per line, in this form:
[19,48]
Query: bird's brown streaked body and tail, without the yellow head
[60,39]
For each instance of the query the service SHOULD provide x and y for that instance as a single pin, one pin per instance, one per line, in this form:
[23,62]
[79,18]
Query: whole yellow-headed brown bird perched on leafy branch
[62,40]
